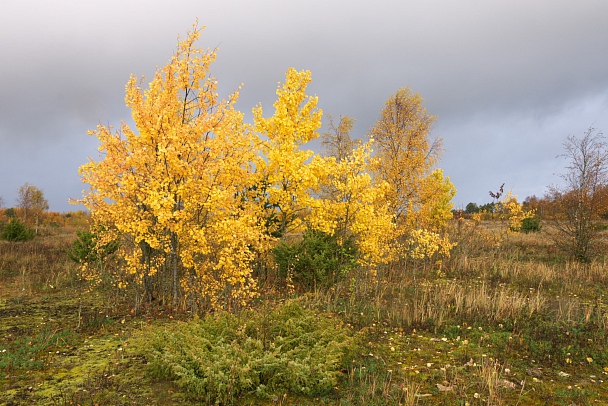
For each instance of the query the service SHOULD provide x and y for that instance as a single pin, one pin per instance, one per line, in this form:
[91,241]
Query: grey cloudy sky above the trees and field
[508,80]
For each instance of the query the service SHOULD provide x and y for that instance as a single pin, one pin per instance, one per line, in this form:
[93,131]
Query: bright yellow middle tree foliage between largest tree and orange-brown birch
[298,178]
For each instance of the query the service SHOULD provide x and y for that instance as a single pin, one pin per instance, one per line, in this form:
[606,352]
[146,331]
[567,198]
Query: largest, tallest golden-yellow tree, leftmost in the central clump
[170,189]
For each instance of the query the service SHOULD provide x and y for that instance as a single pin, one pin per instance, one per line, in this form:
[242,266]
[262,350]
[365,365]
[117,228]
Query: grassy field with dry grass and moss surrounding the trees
[503,321]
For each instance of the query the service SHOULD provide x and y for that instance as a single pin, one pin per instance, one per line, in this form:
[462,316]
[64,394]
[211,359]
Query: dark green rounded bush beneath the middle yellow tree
[318,259]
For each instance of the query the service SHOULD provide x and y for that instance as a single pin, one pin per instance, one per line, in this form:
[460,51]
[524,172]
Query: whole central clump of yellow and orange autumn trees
[198,198]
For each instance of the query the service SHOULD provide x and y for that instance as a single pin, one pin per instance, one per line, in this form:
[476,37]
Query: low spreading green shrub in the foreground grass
[224,357]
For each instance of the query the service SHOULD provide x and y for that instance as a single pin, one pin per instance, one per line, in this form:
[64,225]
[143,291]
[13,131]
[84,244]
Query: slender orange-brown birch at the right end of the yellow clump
[418,196]
